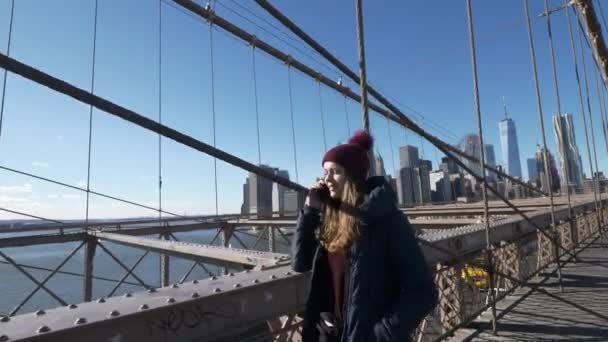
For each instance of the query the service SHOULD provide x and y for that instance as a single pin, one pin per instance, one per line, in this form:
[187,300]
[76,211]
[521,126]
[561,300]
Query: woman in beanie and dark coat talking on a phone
[369,280]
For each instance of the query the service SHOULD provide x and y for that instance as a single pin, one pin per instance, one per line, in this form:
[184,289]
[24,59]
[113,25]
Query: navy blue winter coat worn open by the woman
[390,286]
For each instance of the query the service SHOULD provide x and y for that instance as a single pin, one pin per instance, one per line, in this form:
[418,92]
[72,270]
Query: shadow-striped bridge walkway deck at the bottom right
[579,313]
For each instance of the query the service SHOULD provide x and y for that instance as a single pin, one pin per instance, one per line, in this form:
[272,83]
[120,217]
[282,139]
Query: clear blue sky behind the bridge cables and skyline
[417,54]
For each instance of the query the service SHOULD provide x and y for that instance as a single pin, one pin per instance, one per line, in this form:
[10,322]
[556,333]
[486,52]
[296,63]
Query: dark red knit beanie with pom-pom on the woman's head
[353,156]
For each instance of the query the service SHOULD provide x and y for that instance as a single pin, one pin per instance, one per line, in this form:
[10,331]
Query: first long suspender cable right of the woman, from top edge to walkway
[482,163]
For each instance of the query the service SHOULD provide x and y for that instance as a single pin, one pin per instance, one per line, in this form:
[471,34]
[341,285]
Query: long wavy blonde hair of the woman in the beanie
[340,227]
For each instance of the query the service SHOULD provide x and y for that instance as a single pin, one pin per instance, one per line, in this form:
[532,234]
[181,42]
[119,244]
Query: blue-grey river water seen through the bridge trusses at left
[14,286]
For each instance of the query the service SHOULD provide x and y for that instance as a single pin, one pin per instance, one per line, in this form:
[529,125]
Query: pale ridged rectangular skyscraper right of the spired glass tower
[567,151]
